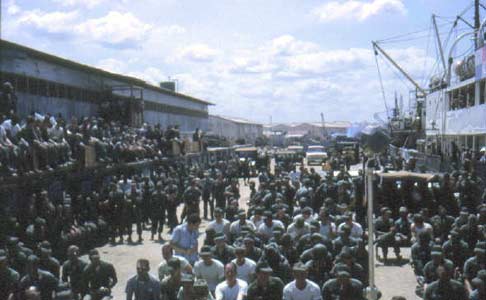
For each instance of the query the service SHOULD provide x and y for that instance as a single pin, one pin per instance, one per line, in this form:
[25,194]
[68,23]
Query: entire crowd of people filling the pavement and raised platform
[300,236]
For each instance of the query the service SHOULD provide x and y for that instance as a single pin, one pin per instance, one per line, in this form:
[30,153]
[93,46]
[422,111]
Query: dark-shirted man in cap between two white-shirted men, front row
[265,286]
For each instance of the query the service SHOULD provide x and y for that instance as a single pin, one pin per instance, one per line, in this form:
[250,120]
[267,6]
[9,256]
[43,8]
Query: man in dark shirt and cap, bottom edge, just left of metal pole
[343,287]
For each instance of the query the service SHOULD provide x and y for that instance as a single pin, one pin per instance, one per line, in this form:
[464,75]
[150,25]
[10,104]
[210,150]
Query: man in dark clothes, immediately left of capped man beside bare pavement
[72,269]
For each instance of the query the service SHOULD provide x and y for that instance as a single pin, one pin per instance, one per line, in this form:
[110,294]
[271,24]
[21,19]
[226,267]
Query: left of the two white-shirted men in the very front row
[232,288]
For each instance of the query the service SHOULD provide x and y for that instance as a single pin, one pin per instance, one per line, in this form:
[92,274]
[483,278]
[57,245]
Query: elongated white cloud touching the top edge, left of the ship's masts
[357,9]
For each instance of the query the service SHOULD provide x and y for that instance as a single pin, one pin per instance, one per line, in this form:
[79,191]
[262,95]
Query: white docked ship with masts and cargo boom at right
[448,121]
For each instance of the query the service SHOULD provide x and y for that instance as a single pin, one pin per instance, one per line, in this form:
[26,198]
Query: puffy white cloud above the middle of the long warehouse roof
[114,28]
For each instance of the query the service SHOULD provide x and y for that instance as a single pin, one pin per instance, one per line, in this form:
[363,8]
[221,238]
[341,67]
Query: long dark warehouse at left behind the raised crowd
[45,83]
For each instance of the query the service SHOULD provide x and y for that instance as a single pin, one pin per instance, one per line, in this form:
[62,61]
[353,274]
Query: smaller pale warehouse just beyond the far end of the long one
[235,129]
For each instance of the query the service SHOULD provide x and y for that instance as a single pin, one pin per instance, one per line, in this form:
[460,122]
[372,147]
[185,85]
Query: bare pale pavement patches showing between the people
[391,280]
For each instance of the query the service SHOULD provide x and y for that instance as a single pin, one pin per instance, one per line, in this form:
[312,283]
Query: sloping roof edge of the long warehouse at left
[73,64]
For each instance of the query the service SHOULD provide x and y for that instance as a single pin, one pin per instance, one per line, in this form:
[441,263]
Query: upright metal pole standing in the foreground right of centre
[371,291]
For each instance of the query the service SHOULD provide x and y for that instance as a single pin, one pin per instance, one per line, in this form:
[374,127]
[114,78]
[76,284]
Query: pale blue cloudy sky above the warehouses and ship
[262,60]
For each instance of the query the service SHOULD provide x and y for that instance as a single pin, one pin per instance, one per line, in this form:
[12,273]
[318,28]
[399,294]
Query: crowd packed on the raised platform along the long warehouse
[46,142]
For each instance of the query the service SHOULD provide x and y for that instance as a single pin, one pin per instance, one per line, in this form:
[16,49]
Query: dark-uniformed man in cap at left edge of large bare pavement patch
[98,275]
